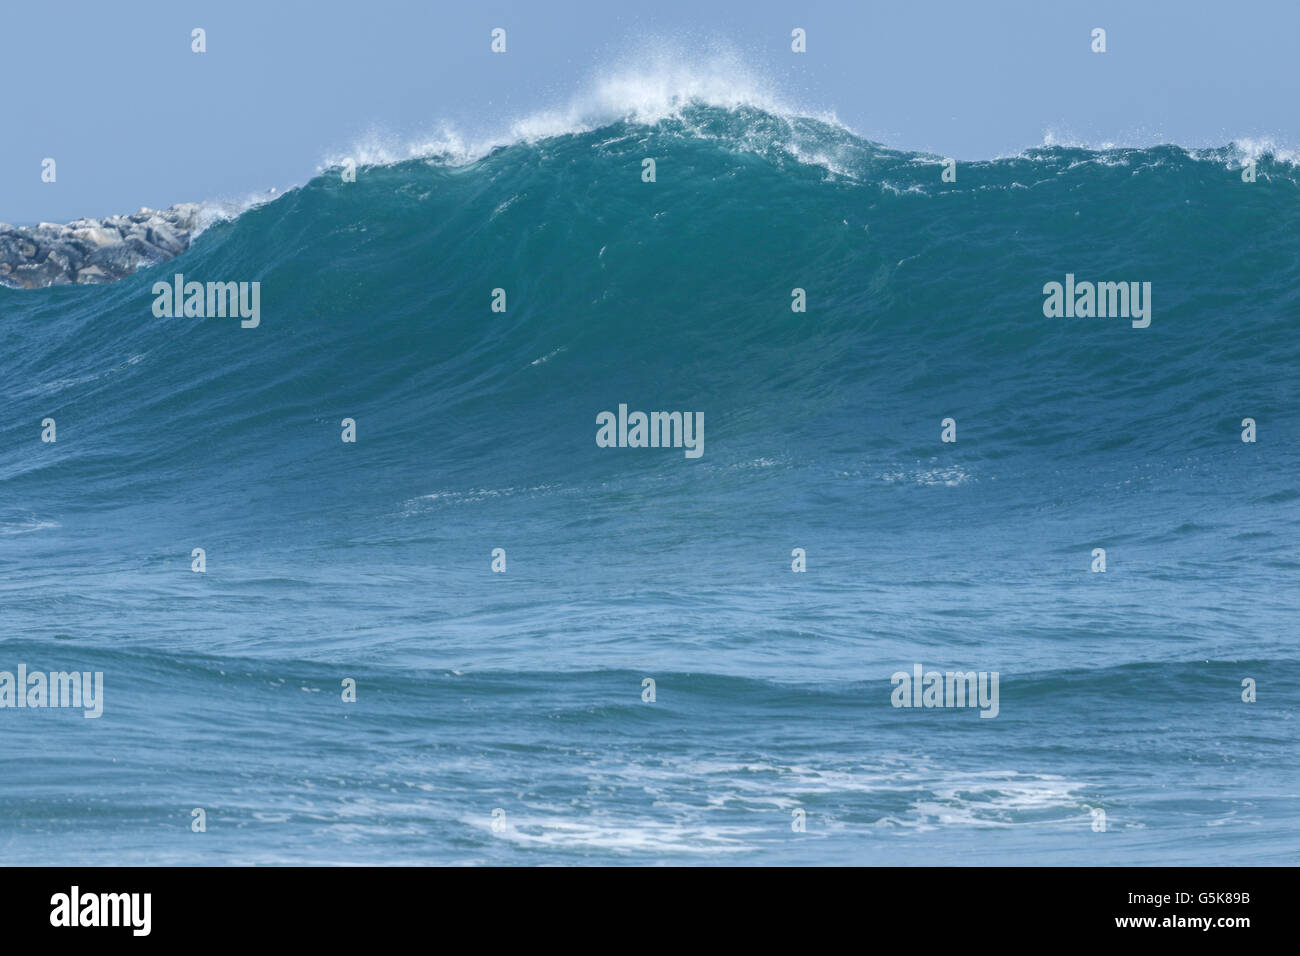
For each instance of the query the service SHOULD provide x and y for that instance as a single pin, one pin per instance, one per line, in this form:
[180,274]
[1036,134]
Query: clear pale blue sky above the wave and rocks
[114,93]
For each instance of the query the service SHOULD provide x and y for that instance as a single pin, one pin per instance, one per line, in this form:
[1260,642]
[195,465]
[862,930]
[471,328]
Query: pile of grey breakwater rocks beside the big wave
[94,250]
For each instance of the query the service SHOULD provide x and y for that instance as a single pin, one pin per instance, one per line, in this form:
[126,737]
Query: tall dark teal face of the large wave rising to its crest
[748,205]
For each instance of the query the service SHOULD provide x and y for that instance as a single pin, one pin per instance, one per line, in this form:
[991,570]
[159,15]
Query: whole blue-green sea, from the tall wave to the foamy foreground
[476,430]
